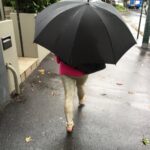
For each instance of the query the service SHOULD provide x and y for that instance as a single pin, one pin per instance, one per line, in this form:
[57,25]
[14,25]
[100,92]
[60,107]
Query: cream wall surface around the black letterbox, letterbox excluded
[10,55]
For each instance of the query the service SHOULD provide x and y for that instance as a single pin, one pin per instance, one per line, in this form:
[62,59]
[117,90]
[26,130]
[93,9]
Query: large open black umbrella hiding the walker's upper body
[85,35]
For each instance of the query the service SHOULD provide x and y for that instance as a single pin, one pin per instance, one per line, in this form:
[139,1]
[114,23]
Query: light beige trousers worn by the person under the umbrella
[70,84]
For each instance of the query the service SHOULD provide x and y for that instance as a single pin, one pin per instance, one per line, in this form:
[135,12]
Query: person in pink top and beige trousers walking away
[72,79]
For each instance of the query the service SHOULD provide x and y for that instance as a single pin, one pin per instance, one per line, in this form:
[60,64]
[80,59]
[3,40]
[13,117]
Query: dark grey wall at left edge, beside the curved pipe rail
[4,91]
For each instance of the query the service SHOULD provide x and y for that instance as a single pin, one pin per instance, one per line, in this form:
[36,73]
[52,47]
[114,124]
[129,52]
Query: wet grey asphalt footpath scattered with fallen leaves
[116,115]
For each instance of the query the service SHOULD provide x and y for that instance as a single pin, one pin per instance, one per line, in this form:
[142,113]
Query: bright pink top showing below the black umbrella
[67,70]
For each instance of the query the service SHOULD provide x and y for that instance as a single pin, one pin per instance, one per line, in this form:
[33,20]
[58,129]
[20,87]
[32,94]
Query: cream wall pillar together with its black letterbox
[9,52]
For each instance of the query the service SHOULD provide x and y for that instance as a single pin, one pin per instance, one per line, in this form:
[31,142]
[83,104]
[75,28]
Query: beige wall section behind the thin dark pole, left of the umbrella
[27,22]
